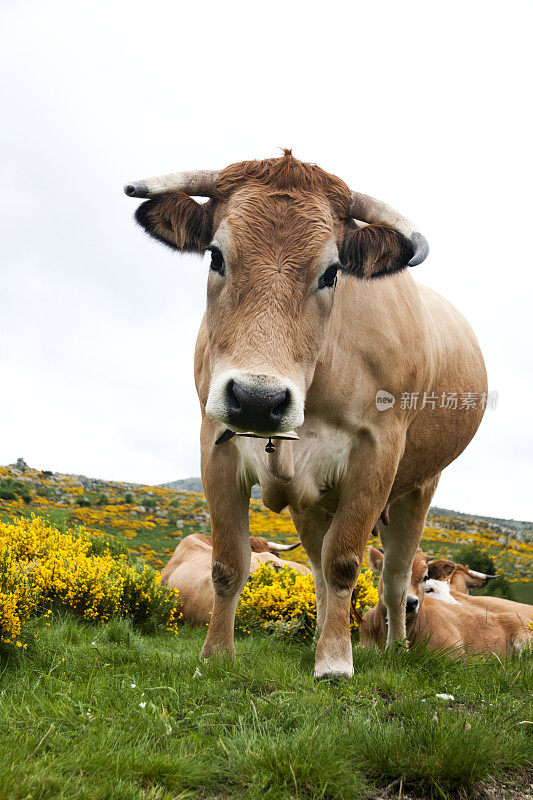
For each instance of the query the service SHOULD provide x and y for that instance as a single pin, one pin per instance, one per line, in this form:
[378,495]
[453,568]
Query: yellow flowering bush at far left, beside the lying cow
[42,567]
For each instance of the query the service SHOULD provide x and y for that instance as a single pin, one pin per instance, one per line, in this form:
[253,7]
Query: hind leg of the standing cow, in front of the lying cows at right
[401,538]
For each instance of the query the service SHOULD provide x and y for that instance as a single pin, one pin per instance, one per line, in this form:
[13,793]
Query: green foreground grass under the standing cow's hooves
[71,725]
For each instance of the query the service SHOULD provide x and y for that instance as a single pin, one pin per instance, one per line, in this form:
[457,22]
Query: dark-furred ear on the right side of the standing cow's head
[370,251]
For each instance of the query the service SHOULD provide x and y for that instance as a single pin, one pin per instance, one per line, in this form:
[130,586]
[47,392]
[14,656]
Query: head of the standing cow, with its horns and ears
[278,231]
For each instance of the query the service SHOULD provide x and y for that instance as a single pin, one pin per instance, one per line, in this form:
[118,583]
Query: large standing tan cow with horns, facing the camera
[310,316]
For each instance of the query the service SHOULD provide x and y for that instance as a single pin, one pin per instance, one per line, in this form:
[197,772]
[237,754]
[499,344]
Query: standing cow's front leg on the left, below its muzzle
[228,503]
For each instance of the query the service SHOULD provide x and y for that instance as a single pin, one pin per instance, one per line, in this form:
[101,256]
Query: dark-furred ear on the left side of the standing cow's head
[178,221]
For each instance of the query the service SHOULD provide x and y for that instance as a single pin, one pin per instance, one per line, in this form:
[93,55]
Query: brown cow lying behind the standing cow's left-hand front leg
[189,570]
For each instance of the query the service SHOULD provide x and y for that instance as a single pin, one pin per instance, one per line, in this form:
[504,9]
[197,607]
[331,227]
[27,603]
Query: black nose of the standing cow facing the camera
[256,409]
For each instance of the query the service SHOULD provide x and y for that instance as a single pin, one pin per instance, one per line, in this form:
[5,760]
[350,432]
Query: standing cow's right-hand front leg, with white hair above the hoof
[365,492]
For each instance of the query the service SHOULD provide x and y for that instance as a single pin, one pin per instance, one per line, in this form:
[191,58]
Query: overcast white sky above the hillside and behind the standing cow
[425,106]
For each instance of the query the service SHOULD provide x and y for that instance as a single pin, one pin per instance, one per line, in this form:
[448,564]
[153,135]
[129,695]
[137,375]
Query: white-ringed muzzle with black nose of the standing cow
[260,404]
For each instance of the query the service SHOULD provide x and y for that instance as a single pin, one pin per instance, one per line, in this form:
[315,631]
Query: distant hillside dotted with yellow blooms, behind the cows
[153,519]
